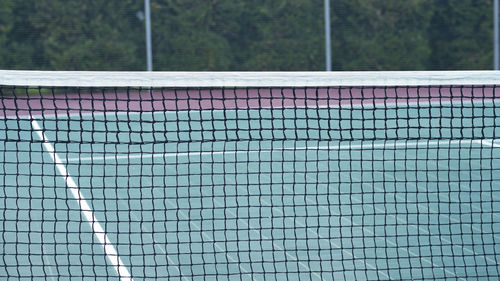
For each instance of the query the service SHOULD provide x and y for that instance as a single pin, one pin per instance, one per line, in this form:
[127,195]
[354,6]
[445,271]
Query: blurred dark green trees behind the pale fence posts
[246,34]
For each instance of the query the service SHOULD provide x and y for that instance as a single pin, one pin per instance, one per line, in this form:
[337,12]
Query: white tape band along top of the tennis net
[245,79]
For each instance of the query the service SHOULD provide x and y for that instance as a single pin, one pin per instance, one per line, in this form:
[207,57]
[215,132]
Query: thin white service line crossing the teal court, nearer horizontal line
[369,145]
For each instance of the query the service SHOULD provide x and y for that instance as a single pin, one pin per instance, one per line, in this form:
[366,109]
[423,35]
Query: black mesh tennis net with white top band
[250,176]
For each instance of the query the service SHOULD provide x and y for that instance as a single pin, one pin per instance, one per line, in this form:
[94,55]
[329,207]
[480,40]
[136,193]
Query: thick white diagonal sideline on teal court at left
[87,212]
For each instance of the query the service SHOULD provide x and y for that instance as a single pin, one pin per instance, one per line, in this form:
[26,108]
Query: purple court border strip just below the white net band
[109,100]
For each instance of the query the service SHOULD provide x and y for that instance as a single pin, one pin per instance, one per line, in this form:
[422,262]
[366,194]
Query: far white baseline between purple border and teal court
[374,105]
